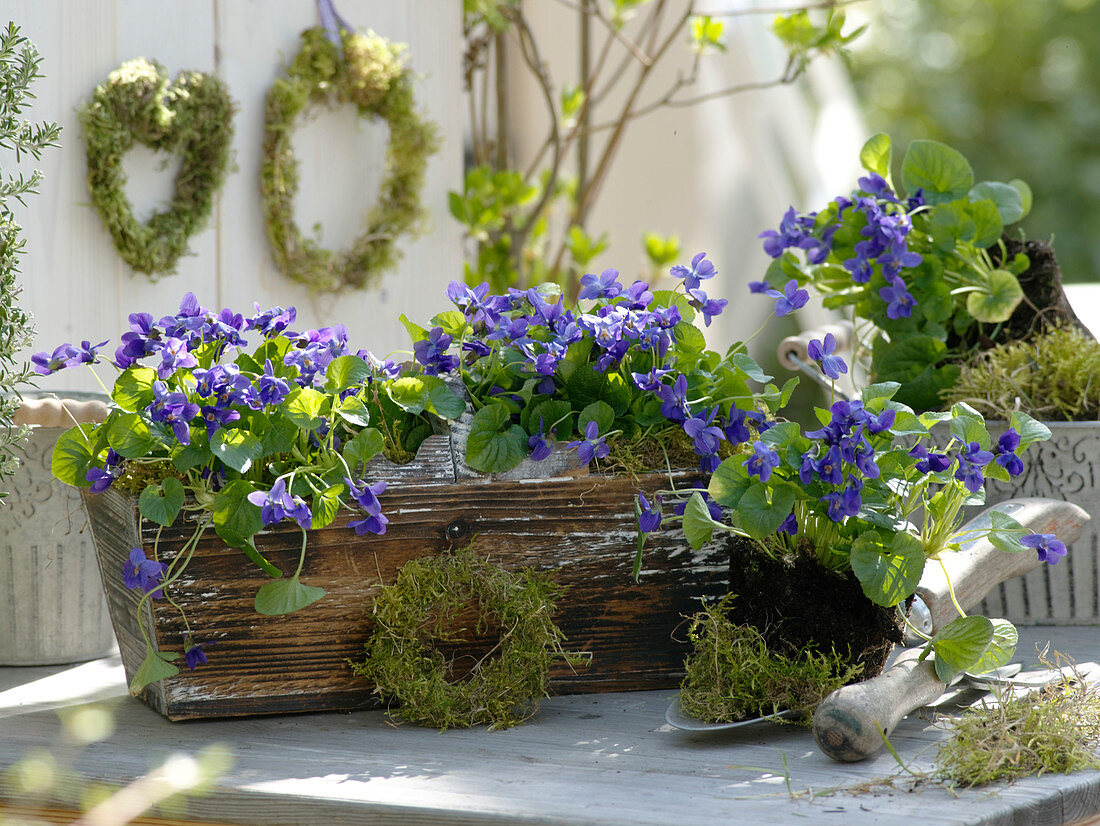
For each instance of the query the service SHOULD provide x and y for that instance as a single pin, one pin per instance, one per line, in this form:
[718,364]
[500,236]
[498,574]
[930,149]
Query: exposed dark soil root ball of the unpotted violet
[794,602]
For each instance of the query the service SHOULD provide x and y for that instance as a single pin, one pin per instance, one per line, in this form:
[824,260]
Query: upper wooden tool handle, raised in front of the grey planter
[981,567]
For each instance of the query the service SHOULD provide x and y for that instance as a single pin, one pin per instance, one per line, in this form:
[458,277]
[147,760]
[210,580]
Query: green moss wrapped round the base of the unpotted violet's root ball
[732,675]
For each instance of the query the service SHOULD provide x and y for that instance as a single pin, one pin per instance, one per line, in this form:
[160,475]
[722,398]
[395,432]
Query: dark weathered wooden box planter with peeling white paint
[580,528]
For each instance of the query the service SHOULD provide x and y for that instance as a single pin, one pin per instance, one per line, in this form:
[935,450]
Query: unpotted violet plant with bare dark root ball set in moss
[832,532]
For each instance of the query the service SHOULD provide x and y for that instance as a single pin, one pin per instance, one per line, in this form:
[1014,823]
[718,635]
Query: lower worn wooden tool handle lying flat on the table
[851,723]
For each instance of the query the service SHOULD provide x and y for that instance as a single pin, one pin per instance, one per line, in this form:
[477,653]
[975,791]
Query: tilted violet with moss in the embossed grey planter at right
[949,303]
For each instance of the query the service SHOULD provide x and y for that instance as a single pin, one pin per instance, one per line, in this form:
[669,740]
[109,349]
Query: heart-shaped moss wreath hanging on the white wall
[193,118]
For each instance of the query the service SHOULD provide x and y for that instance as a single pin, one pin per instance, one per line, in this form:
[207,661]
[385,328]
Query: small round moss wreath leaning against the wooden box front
[505,688]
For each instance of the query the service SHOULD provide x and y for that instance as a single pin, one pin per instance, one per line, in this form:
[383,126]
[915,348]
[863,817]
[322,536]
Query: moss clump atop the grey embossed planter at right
[1054,376]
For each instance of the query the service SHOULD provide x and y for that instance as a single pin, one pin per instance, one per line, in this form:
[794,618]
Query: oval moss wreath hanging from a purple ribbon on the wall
[365,71]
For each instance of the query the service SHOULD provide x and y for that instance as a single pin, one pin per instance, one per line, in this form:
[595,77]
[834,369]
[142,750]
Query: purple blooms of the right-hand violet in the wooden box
[625,329]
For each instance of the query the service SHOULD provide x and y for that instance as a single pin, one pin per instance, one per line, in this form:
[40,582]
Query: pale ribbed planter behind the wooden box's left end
[52,605]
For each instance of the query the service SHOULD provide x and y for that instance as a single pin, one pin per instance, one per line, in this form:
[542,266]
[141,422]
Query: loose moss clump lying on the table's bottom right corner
[1052,731]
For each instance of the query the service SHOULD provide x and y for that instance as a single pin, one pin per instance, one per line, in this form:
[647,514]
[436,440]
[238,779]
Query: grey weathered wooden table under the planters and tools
[588,759]
